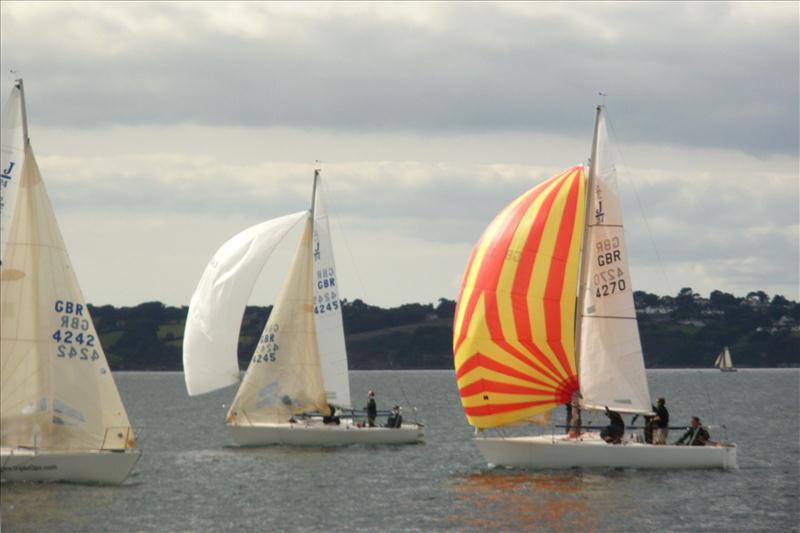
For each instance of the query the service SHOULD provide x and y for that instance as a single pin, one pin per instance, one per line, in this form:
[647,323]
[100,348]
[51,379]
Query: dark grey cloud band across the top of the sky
[685,74]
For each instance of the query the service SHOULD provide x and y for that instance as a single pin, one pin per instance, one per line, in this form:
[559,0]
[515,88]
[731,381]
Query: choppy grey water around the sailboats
[190,480]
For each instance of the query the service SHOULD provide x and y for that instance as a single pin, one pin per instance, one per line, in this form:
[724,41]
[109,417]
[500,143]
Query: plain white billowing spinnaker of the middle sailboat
[211,336]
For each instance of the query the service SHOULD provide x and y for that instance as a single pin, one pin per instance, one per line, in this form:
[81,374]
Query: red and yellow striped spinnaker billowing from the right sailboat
[513,337]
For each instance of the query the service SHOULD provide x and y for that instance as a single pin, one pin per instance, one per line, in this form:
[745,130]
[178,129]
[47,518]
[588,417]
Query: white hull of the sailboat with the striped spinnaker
[546,451]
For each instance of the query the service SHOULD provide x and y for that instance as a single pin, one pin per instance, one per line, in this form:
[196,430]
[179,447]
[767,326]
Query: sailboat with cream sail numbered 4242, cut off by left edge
[61,416]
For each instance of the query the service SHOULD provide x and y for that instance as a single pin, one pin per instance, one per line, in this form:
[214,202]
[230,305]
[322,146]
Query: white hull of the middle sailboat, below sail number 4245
[314,433]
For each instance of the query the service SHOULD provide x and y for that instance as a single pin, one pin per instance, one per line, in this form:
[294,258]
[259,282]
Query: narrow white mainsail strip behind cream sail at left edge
[12,155]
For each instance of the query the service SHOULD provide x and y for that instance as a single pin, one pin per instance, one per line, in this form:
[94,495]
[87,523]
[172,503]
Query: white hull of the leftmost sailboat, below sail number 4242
[102,466]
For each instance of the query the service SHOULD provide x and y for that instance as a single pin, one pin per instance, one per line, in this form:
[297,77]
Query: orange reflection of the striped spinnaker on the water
[523,501]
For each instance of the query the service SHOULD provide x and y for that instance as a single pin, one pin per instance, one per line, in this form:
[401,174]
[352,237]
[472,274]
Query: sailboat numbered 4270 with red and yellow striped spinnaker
[523,346]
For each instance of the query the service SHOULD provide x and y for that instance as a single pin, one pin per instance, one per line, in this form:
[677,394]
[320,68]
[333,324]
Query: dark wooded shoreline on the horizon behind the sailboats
[681,331]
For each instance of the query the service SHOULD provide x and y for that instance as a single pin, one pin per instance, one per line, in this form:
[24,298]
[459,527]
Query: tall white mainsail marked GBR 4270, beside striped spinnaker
[611,366]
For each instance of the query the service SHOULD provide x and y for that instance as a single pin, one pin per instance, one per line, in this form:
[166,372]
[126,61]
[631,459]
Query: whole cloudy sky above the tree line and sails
[162,129]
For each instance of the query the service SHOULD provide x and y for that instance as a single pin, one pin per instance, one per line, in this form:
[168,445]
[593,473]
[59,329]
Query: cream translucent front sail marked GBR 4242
[56,387]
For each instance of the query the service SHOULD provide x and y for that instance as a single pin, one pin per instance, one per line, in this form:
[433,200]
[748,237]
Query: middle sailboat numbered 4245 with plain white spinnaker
[297,376]
